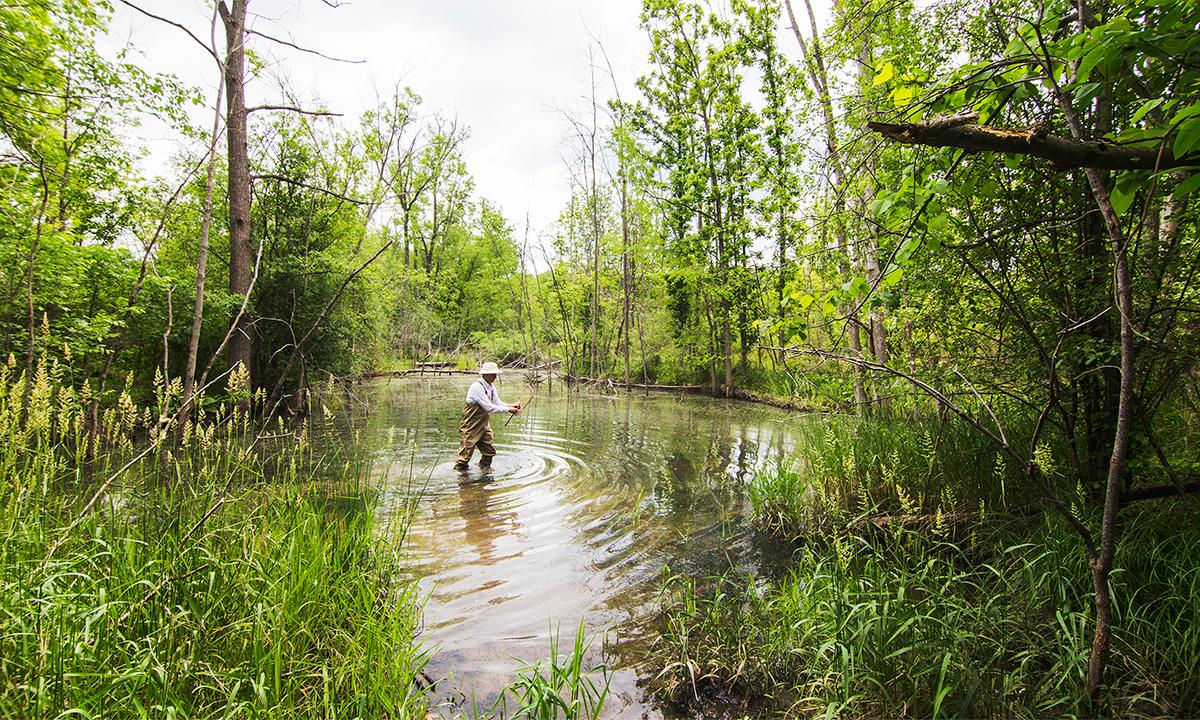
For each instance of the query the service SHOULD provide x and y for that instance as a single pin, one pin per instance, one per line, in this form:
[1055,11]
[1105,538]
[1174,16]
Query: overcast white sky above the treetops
[506,69]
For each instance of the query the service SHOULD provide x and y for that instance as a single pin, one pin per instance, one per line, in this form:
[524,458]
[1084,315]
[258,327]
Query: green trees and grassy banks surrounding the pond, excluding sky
[958,238]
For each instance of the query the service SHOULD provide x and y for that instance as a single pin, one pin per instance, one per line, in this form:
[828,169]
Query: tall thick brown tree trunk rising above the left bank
[241,259]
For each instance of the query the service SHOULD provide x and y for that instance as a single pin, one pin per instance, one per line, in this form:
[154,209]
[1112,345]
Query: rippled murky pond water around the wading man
[587,501]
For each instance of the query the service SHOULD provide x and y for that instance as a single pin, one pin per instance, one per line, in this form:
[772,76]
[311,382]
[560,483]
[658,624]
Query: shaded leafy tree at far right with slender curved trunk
[1083,69]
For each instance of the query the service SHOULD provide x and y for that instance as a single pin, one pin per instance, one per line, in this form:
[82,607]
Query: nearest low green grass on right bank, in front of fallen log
[913,627]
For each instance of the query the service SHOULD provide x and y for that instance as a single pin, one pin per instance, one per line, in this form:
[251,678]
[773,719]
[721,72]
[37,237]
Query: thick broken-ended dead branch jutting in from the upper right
[962,131]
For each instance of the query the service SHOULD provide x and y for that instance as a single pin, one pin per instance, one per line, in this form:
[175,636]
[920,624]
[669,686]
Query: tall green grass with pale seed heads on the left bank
[220,575]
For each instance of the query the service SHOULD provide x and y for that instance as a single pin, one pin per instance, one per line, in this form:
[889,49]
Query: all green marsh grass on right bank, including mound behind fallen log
[915,620]
